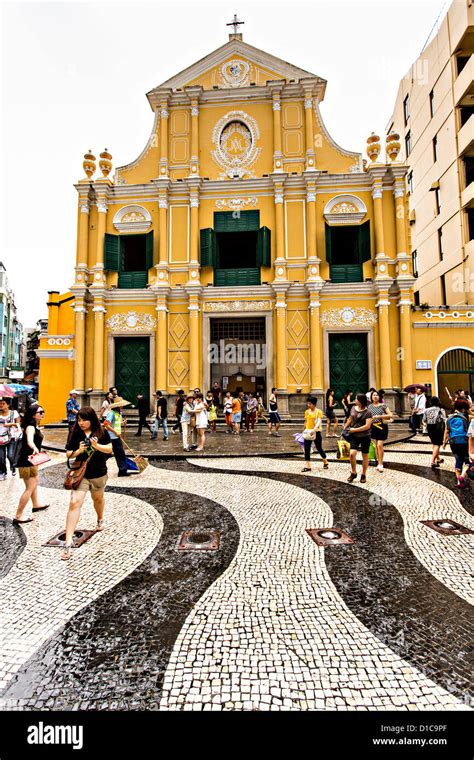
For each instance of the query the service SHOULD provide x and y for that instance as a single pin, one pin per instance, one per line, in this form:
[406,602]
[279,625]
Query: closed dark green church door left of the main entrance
[132,367]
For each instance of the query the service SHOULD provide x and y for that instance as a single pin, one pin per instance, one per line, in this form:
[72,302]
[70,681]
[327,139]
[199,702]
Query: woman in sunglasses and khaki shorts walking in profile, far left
[30,444]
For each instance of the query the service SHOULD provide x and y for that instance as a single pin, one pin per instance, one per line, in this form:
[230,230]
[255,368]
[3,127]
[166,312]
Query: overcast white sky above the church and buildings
[74,76]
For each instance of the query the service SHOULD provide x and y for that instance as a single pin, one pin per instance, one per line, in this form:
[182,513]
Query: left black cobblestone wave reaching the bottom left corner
[113,654]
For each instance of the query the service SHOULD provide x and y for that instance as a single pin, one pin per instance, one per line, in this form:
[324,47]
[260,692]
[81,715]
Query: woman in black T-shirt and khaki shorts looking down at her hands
[90,443]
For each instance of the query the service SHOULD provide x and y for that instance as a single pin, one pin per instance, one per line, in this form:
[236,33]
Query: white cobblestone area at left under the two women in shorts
[41,592]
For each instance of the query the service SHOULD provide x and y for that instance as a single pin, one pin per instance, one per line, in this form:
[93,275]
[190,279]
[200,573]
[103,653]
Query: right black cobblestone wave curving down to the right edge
[385,585]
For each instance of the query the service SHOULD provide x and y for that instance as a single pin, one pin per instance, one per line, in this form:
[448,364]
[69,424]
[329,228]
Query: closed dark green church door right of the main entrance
[348,364]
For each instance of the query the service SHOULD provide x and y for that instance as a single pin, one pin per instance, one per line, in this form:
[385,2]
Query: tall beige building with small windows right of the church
[439,92]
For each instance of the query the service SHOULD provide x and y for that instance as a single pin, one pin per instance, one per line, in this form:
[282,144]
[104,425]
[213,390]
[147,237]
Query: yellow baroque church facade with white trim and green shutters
[244,247]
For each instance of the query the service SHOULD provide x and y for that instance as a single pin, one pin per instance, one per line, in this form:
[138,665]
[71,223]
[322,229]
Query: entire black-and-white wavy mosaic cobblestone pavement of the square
[269,622]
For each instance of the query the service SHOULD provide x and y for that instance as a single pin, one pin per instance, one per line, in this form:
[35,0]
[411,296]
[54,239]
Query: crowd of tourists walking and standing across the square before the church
[94,437]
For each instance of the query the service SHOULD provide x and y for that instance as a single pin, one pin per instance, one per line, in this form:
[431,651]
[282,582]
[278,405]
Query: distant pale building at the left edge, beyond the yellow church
[11,331]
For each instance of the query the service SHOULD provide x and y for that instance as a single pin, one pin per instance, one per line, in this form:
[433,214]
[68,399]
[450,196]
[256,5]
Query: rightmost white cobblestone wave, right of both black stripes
[447,558]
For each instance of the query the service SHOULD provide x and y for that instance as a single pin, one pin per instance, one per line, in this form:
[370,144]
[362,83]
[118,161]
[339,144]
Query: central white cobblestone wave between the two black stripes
[272,633]
